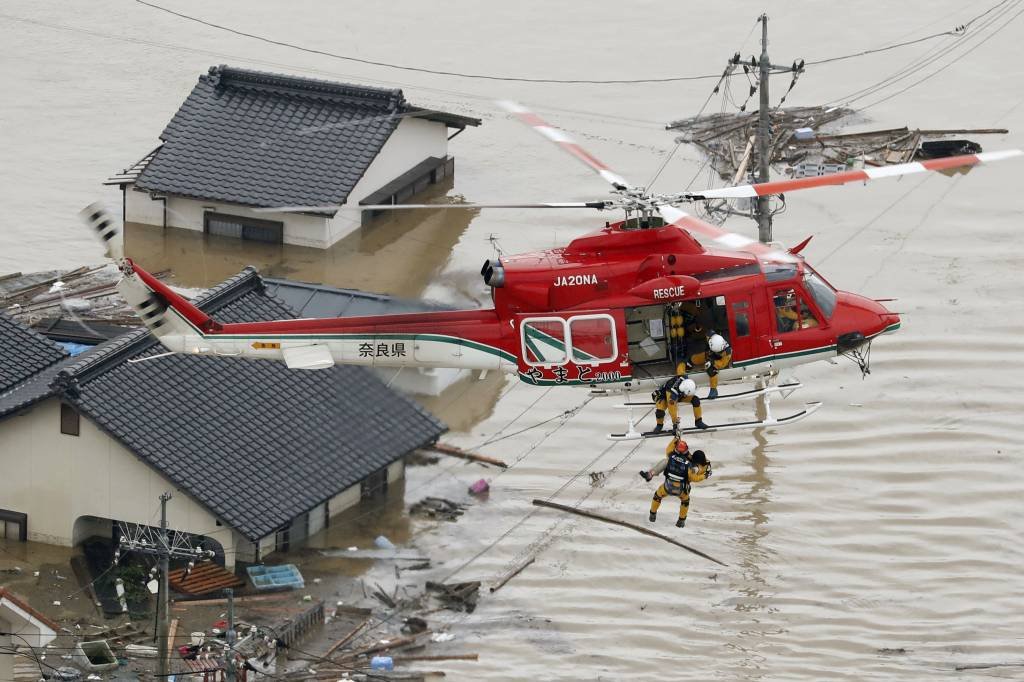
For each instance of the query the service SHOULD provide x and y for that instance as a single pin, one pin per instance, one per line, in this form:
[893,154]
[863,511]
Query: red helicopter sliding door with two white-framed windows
[585,348]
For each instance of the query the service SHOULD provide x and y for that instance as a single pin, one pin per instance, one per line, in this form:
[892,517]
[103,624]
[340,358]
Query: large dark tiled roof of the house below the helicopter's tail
[254,442]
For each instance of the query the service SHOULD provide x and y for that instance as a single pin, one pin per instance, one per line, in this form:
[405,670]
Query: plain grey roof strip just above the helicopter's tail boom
[314,301]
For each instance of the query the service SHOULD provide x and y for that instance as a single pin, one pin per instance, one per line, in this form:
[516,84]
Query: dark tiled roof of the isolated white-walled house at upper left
[267,140]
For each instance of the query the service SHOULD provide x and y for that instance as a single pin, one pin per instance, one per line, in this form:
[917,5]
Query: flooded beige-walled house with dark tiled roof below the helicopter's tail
[259,456]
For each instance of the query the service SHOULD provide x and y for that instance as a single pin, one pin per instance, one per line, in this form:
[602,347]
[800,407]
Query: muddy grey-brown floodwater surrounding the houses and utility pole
[880,540]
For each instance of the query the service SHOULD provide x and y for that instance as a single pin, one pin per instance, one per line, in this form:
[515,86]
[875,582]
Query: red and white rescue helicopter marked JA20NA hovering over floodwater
[598,313]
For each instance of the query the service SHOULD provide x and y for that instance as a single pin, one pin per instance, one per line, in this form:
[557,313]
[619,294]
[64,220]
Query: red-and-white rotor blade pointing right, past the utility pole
[861,176]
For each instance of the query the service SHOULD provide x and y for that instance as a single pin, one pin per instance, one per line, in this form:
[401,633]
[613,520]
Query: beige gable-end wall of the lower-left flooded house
[58,479]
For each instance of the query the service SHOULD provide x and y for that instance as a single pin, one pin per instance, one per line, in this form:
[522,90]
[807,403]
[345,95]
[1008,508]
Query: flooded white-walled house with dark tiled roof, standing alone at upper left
[247,140]
